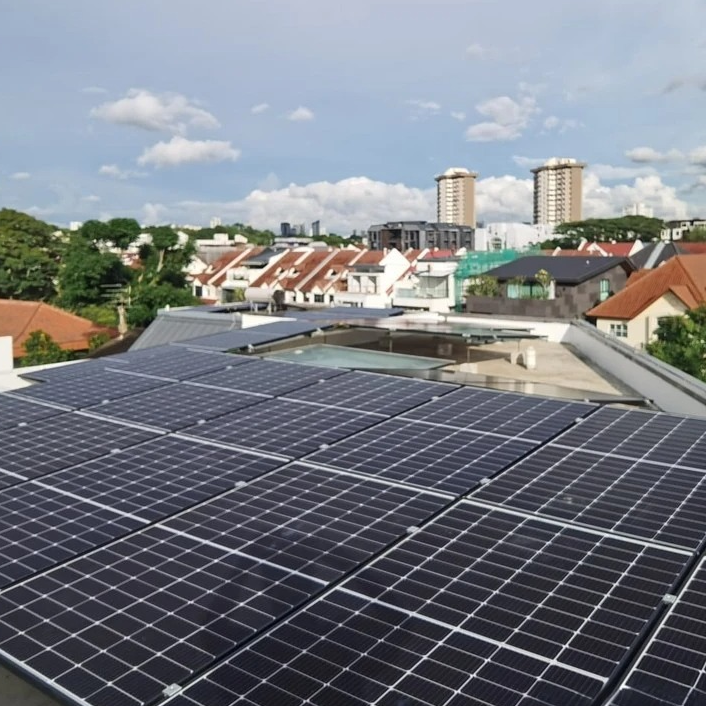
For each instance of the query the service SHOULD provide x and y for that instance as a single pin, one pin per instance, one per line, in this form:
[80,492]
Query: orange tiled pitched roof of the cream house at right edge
[683,275]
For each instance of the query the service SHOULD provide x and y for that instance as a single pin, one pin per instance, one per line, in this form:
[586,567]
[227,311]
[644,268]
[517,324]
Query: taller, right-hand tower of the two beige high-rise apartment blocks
[558,191]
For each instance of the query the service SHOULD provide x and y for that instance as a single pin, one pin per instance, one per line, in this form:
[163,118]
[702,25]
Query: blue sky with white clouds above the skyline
[262,111]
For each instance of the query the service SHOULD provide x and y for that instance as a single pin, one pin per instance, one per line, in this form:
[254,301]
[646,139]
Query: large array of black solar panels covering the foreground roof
[184,527]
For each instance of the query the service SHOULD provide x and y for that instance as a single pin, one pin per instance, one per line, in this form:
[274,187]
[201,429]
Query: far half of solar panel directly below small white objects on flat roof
[503,413]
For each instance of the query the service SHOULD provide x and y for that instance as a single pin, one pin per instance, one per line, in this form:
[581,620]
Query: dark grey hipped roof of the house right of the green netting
[564,270]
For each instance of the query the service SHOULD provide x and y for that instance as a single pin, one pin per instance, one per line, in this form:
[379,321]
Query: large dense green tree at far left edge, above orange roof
[29,257]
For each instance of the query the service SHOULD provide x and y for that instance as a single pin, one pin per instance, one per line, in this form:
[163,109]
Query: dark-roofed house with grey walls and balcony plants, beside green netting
[575,285]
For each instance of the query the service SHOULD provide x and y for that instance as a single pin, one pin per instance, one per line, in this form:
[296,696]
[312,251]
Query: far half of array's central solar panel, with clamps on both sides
[320,523]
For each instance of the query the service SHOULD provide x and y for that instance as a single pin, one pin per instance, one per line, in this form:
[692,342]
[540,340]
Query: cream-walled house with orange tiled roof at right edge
[633,314]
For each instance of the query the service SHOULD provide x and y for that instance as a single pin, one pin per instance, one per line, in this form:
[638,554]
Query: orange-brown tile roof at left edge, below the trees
[19,319]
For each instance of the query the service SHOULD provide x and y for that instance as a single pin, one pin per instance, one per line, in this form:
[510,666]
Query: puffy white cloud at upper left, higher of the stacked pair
[165,112]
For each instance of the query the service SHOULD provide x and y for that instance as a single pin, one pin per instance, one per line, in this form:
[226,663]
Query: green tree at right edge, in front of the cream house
[681,342]
